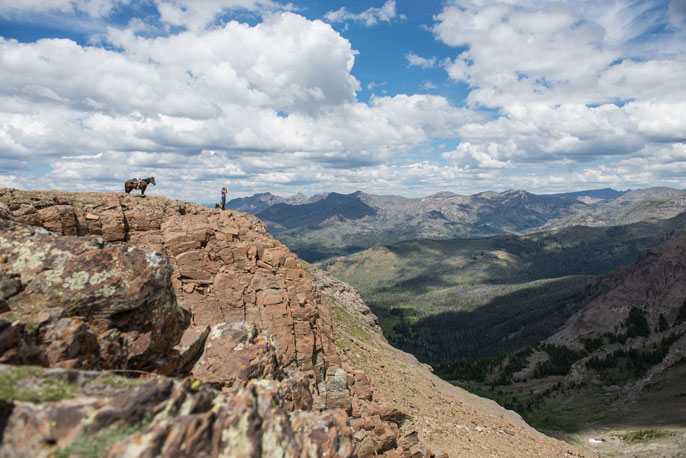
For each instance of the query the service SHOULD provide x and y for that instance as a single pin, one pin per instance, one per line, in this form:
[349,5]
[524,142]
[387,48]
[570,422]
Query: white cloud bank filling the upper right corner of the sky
[571,82]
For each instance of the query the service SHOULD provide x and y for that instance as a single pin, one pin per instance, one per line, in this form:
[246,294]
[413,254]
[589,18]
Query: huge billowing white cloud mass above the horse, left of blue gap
[252,104]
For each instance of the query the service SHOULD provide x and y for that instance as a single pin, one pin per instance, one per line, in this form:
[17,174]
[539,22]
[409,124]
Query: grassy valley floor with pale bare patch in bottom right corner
[603,420]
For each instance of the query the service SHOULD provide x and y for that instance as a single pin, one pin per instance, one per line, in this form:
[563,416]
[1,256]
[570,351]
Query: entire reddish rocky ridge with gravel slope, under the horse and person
[143,326]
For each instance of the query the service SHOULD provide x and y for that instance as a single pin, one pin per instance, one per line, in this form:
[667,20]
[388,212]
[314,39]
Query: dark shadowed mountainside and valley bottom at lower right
[614,371]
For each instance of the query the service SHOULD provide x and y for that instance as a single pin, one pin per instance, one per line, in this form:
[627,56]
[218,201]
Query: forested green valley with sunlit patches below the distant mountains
[451,300]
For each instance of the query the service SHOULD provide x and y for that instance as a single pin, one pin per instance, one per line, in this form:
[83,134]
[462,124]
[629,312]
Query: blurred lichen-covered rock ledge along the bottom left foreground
[158,417]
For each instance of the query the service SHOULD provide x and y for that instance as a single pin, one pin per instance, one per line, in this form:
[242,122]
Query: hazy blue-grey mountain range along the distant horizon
[332,224]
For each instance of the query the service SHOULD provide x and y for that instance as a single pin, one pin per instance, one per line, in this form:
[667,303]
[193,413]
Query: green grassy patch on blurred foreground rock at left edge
[33,384]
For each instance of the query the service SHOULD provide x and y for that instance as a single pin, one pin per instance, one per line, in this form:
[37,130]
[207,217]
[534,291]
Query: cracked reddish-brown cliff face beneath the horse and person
[225,265]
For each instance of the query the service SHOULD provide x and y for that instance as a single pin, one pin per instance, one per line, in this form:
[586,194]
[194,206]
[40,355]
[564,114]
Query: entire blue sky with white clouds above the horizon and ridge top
[401,97]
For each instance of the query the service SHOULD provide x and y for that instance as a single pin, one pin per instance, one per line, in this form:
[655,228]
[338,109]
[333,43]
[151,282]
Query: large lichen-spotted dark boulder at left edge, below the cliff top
[82,302]
